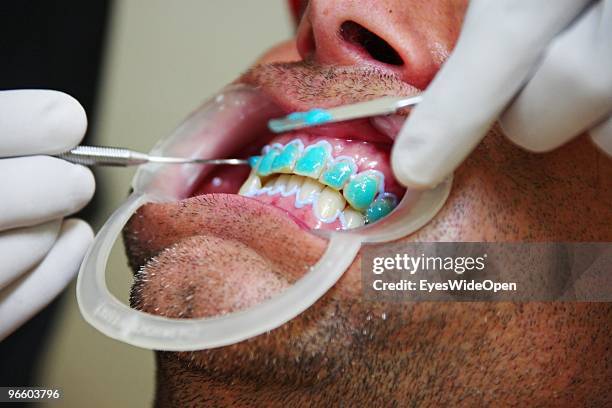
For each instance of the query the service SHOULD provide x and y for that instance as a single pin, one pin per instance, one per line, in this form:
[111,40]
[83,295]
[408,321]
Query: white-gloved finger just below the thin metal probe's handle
[36,189]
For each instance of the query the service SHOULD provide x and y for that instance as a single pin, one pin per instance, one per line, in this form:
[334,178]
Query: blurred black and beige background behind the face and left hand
[156,61]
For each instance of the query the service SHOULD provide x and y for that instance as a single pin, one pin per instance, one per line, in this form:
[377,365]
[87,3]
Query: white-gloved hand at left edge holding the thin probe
[39,251]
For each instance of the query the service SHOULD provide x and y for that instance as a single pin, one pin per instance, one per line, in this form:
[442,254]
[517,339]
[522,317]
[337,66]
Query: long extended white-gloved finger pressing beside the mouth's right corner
[469,92]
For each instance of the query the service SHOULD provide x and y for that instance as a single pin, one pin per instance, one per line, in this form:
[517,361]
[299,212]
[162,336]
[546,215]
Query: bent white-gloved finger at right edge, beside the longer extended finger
[572,88]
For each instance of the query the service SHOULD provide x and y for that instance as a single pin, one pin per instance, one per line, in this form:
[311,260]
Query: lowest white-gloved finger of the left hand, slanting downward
[24,297]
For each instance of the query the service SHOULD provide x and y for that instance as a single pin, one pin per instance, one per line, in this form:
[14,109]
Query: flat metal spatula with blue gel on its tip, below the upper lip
[314,117]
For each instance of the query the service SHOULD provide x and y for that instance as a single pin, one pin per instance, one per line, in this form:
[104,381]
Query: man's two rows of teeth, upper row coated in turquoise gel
[316,178]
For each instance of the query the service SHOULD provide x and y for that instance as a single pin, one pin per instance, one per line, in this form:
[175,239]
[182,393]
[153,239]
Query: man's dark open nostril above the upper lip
[375,46]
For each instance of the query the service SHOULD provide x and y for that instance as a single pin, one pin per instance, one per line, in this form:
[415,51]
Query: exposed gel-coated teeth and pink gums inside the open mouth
[326,183]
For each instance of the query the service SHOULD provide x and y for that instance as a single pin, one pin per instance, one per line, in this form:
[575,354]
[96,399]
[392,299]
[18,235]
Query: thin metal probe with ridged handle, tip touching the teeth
[117,156]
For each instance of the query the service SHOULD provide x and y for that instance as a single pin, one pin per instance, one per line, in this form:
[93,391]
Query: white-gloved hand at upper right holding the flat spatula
[545,66]
